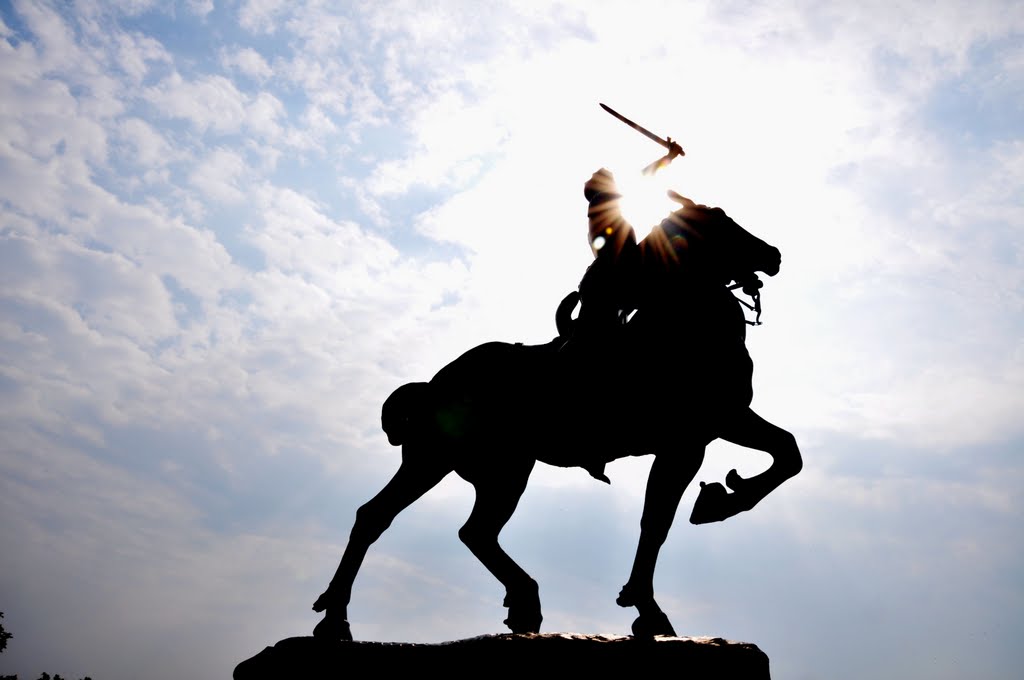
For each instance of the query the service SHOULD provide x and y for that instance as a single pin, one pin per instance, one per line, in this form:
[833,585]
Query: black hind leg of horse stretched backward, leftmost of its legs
[416,477]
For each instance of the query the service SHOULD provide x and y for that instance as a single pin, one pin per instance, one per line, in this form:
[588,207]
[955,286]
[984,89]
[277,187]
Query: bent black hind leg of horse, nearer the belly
[498,494]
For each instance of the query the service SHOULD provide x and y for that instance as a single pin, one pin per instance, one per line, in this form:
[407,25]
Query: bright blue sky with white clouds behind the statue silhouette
[230,230]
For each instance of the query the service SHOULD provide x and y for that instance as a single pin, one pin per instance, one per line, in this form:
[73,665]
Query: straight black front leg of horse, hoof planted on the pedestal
[670,475]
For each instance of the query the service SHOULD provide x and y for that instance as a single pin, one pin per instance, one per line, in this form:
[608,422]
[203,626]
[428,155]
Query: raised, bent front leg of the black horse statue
[752,432]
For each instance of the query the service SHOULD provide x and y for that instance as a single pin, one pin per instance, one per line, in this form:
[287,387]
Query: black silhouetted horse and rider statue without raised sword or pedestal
[581,401]
